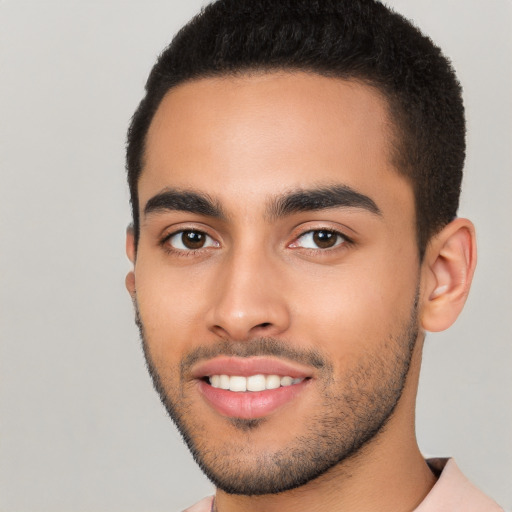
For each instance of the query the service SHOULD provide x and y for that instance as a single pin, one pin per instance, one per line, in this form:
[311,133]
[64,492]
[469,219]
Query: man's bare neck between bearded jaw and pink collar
[389,474]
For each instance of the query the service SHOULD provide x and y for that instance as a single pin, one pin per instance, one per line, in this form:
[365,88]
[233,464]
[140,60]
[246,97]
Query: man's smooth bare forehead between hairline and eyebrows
[260,134]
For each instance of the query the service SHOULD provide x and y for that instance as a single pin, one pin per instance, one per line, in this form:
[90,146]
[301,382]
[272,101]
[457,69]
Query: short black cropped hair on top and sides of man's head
[359,40]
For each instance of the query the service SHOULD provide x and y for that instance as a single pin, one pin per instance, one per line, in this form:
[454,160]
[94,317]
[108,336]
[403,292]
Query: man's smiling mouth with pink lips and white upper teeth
[250,388]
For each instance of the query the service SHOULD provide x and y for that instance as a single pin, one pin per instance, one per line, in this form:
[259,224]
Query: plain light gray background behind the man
[80,426]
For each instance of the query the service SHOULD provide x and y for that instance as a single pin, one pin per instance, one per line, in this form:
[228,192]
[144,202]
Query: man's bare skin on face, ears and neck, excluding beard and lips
[243,141]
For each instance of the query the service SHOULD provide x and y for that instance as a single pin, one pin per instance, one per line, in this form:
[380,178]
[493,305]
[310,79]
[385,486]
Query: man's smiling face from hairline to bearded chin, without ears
[276,274]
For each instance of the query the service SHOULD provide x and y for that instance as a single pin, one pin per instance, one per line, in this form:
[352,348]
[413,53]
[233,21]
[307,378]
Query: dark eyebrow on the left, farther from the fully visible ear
[183,200]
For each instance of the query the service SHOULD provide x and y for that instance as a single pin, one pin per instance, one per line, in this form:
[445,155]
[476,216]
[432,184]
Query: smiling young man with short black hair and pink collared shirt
[294,171]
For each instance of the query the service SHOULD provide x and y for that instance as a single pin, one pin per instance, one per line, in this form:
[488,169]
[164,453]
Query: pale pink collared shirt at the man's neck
[453,492]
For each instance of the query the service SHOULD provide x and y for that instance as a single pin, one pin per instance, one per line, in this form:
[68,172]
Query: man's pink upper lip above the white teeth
[247,366]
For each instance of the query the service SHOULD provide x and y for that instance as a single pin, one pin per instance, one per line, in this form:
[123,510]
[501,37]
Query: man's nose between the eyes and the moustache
[249,299]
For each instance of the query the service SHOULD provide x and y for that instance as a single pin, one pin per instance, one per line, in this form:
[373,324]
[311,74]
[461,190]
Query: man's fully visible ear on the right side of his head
[447,272]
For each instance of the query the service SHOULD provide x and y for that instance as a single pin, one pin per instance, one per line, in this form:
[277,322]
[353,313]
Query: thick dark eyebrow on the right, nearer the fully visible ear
[323,198]
